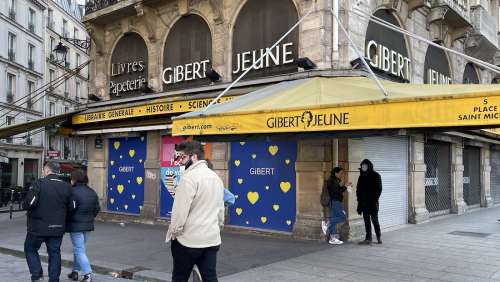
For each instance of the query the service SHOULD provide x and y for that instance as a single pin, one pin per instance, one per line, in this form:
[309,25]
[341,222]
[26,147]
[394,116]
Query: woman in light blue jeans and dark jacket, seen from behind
[84,208]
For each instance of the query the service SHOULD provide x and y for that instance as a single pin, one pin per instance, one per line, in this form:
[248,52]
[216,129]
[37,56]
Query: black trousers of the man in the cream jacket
[186,258]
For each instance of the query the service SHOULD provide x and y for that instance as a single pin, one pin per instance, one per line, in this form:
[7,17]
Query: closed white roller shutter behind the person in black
[389,156]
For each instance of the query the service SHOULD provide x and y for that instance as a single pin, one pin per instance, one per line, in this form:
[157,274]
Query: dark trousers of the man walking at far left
[31,246]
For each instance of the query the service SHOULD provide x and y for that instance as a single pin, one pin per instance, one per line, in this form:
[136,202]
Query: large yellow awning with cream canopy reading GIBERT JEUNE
[346,103]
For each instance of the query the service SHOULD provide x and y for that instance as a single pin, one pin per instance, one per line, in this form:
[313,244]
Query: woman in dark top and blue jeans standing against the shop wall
[336,190]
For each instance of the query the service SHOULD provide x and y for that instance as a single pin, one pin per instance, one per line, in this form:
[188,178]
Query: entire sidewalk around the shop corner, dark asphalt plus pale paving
[426,252]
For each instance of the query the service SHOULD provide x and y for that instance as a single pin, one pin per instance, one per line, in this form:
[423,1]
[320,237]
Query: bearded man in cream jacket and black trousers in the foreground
[197,216]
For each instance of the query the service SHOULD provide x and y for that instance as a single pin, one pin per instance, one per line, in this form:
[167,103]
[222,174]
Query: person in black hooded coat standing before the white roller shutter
[368,191]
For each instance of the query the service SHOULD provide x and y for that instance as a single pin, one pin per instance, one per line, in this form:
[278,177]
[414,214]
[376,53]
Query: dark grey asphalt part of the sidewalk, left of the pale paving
[113,248]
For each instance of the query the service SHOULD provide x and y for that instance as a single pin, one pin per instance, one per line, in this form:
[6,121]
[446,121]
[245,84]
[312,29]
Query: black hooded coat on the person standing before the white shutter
[369,188]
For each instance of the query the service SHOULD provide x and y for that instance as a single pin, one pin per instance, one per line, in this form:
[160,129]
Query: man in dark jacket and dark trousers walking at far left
[47,204]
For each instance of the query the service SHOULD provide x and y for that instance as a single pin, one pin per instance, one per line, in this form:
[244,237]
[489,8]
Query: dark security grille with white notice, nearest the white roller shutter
[437,177]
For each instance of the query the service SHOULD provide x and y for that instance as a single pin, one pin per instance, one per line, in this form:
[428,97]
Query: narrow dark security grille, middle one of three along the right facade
[472,182]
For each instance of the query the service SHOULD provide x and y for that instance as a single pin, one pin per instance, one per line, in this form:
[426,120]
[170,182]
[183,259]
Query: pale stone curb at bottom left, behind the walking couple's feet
[100,267]
